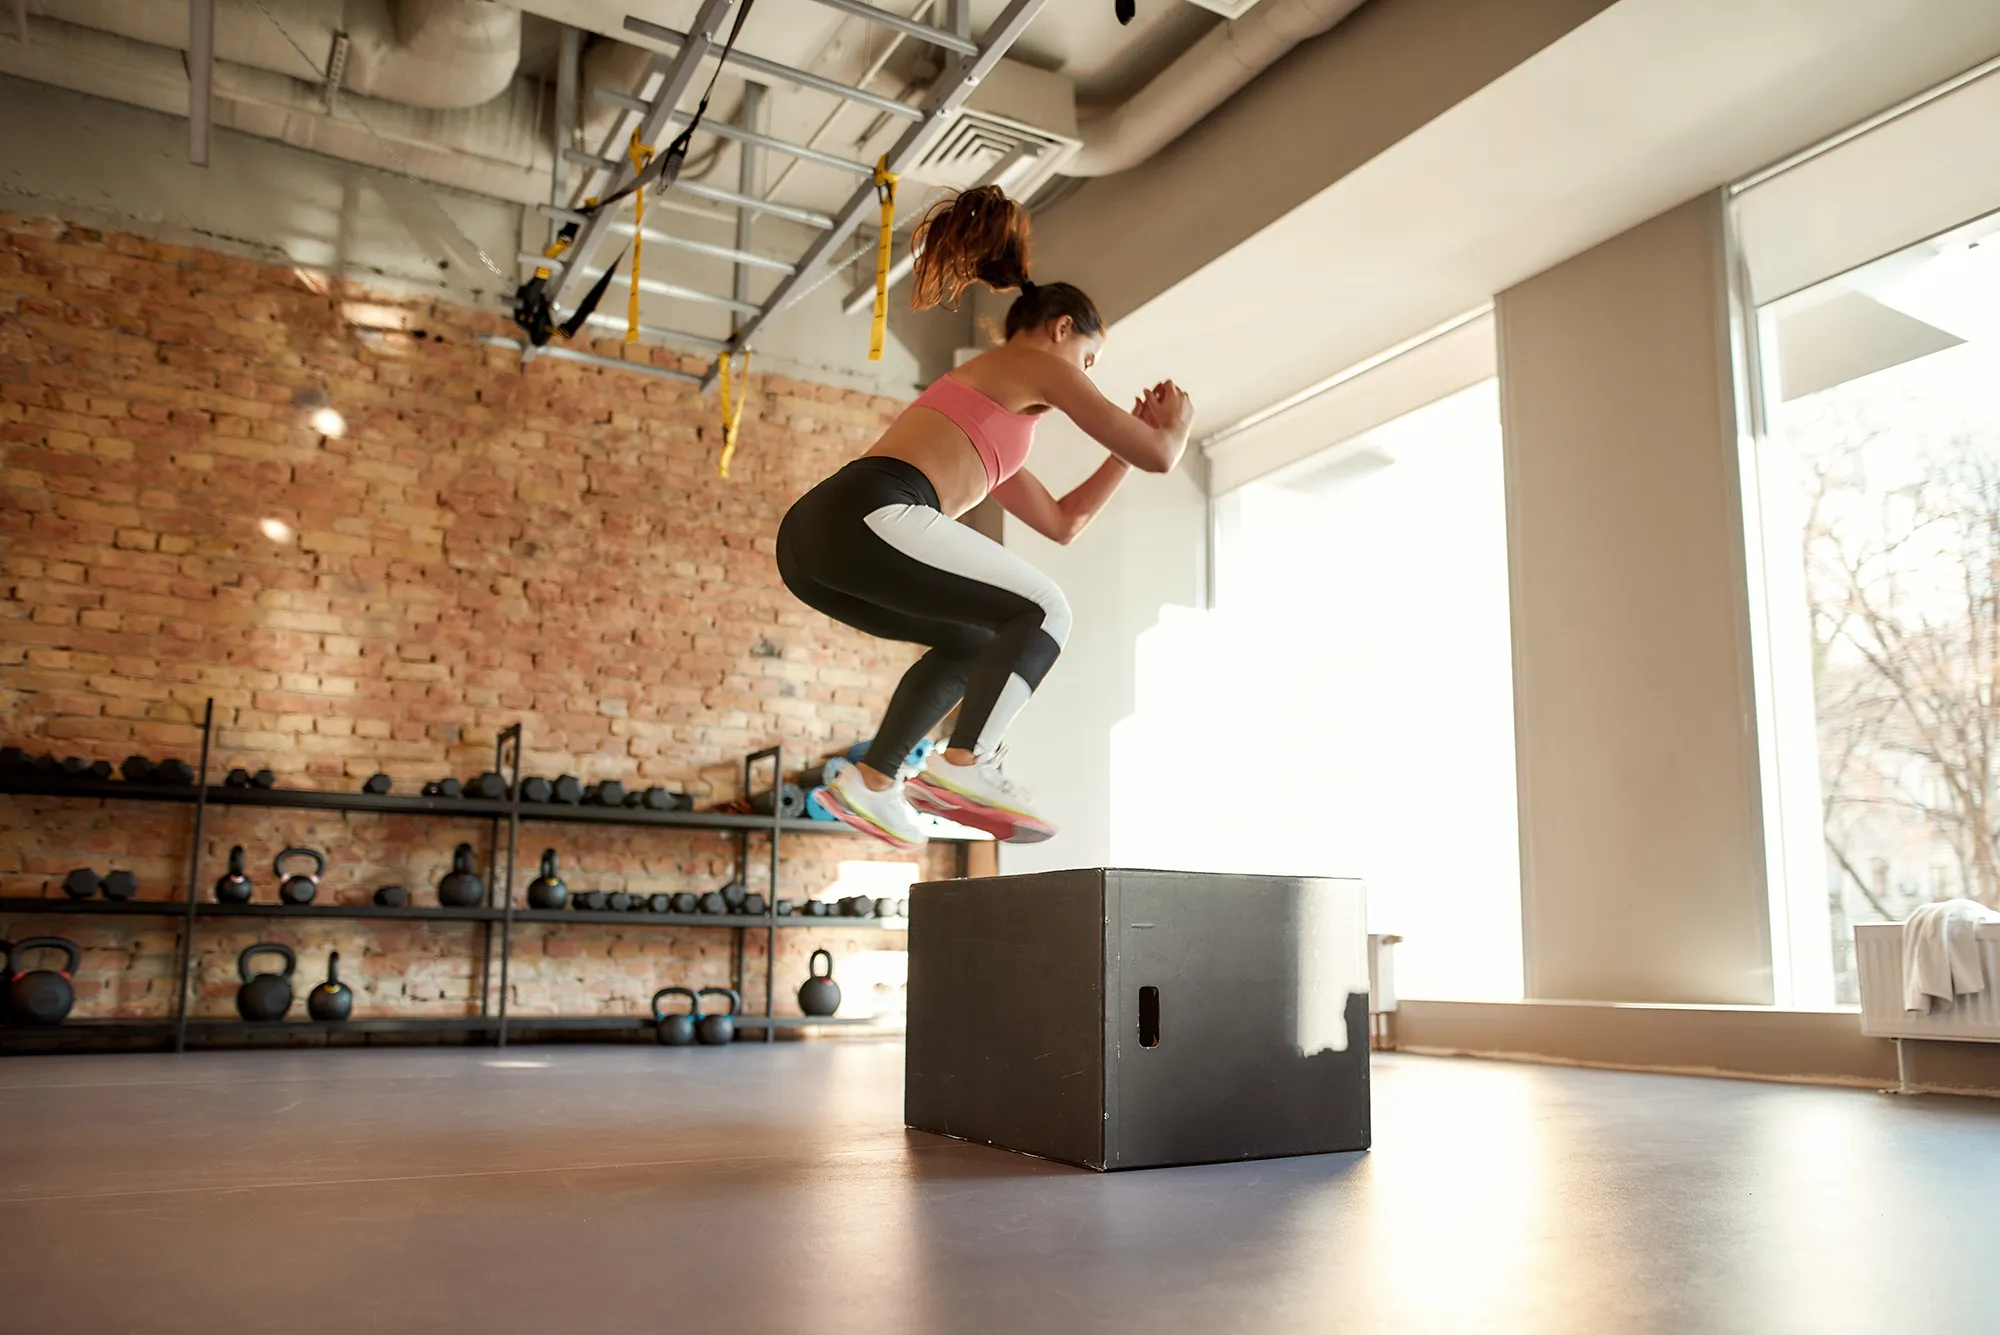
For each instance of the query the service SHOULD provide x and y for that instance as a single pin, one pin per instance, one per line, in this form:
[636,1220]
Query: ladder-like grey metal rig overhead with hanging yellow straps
[657,113]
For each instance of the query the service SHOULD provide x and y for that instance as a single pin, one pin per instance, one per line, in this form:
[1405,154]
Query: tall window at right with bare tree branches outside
[1875,493]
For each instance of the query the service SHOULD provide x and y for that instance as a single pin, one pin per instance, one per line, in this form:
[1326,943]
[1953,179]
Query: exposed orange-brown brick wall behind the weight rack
[481,547]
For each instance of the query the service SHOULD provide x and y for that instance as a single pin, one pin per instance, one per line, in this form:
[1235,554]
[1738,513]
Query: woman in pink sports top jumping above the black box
[879,545]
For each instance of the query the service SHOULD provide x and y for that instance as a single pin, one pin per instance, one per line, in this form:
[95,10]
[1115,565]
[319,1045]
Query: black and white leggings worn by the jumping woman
[871,549]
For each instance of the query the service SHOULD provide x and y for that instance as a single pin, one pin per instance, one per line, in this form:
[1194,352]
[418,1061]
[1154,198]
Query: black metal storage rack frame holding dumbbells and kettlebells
[497,918]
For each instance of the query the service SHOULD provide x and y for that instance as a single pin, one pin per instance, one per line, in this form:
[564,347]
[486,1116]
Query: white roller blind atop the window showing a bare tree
[1913,177]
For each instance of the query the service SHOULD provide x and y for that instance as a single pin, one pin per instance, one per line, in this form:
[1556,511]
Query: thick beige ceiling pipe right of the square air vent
[1203,79]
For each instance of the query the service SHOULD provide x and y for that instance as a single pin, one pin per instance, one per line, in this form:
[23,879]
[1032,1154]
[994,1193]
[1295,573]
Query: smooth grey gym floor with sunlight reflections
[773,1190]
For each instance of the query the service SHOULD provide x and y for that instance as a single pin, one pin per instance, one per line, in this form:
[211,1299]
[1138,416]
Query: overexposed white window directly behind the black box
[1347,708]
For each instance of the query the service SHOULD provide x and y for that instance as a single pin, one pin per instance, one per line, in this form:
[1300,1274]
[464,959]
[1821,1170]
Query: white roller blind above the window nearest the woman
[1433,371]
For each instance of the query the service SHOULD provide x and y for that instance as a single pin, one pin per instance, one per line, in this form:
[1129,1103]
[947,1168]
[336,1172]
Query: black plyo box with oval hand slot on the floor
[1125,1020]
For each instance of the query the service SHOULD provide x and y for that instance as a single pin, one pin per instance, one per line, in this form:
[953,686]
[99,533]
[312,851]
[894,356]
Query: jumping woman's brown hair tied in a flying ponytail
[983,237]
